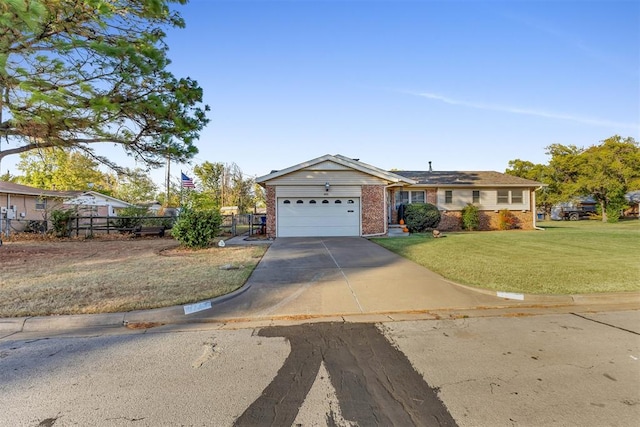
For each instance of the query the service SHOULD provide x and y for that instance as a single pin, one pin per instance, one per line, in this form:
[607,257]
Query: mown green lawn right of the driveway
[568,257]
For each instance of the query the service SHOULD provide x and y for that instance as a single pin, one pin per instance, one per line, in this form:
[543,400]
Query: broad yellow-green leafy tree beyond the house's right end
[606,172]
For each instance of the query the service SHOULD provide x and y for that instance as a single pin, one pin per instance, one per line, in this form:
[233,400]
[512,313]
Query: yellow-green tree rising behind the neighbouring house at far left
[60,169]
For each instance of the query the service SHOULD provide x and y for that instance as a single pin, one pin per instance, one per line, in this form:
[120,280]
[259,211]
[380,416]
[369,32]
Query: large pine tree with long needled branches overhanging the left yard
[75,73]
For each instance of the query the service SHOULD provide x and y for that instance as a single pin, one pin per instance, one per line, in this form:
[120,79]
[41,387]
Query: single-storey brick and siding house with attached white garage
[334,195]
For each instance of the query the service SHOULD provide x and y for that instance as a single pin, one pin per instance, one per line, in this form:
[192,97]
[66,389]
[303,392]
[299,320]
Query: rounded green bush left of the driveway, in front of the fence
[197,228]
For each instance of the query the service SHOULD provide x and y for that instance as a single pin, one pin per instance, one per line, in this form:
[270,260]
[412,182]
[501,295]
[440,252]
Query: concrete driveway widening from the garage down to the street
[341,276]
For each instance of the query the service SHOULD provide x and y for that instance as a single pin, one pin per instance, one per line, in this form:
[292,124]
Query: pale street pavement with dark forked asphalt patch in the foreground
[556,370]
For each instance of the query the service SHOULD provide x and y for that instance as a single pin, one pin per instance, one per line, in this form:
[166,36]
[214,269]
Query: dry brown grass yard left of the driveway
[43,278]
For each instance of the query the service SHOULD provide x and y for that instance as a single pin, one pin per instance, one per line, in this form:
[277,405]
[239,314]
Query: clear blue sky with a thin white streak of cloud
[468,85]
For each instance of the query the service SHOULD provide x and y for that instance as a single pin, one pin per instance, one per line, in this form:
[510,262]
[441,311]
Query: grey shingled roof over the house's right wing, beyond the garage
[467,179]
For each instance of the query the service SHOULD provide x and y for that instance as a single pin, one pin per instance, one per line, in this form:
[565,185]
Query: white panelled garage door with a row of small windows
[324,216]
